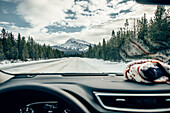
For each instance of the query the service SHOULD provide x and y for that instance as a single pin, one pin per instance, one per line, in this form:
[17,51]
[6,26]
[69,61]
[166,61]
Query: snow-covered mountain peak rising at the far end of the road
[73,46]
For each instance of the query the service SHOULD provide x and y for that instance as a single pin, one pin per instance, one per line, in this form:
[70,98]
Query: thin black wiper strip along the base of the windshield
[63,74]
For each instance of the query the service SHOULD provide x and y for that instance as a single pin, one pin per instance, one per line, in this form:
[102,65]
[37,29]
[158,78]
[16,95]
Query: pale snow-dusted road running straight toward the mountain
[66,65]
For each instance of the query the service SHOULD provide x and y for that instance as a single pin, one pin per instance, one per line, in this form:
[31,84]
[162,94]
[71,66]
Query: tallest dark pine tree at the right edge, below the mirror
[159,29]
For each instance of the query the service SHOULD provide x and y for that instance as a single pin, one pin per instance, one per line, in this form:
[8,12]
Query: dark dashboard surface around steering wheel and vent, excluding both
[83,87]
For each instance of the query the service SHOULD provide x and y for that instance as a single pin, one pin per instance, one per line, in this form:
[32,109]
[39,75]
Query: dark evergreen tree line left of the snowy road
[14,49]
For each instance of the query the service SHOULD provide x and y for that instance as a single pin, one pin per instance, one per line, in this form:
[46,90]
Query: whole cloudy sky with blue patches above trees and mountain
[55,21]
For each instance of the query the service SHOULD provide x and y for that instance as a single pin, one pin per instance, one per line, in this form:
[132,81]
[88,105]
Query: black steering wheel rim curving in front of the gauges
[12,97]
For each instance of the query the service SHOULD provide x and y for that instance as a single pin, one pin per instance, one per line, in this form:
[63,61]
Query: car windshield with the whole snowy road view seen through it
[81,36]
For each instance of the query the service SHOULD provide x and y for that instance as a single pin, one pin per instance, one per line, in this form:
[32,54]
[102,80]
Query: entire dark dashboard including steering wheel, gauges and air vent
[75,94]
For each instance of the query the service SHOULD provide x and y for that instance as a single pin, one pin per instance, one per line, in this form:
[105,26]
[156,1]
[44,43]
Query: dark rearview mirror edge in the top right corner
[156,2]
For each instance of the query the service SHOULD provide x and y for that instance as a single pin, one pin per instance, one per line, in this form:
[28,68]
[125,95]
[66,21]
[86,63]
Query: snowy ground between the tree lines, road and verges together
[64,65]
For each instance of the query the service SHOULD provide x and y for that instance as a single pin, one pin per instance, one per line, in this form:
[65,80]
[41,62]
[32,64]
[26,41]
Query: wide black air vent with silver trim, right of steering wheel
[134,102]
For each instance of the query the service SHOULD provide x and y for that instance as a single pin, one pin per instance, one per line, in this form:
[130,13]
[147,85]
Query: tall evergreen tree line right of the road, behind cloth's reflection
[154,30]
